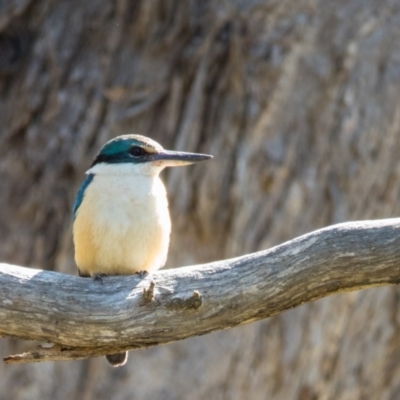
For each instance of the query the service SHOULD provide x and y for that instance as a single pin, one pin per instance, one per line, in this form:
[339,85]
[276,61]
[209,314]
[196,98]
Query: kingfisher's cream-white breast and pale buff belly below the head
[123,225]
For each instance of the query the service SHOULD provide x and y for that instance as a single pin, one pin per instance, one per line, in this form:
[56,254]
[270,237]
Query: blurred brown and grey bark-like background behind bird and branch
[298,101]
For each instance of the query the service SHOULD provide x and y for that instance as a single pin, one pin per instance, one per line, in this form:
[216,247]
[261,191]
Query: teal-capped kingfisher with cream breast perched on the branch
[121,219]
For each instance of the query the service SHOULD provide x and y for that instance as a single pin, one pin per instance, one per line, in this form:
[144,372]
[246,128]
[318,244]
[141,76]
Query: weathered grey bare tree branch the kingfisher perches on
[86,318]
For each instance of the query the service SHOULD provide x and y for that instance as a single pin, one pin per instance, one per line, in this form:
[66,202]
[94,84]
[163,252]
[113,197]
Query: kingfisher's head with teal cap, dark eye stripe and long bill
[141,155]
